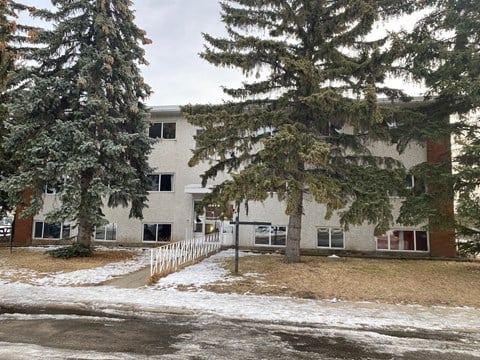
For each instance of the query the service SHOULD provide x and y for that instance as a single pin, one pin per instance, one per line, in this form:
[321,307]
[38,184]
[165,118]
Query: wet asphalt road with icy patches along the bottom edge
[173,336]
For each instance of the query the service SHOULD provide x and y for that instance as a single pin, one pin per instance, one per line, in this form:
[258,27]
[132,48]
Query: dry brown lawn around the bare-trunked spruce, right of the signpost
[425,282]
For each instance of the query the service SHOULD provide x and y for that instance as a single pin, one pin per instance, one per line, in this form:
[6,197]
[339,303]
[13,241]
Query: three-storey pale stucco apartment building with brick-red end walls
[171,214]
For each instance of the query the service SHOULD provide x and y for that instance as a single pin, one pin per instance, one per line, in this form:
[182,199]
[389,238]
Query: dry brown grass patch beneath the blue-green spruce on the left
[38,261]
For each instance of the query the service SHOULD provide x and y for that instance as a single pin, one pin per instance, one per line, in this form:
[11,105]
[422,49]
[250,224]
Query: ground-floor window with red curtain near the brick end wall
[403,240]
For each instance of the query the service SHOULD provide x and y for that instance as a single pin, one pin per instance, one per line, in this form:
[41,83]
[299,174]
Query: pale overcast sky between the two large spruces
[176,73]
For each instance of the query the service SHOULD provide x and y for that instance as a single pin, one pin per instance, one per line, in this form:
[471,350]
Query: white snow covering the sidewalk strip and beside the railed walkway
[54,290]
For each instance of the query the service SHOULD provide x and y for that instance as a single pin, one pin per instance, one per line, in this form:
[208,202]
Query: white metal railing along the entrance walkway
[167,258]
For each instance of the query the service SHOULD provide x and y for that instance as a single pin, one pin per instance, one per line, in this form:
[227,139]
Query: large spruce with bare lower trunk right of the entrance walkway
[303,125]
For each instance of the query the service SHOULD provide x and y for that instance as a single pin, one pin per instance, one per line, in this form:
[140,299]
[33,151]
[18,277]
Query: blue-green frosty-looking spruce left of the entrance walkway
[79,124]
